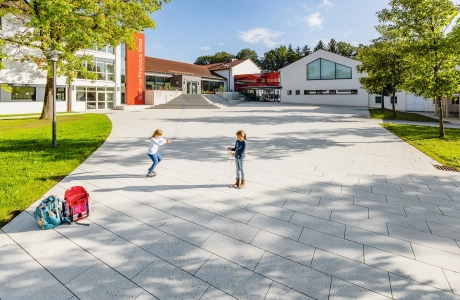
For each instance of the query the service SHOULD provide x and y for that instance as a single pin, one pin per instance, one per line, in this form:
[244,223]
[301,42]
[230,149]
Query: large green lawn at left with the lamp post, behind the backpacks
[29,166]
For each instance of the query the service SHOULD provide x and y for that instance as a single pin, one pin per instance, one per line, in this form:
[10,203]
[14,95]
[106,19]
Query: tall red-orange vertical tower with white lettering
[135,72]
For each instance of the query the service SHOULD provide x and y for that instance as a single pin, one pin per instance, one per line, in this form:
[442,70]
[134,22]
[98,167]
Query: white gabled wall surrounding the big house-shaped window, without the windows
[294,77]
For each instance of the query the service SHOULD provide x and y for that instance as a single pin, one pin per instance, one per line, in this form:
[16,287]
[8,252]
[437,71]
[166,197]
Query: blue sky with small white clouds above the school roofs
[186,29]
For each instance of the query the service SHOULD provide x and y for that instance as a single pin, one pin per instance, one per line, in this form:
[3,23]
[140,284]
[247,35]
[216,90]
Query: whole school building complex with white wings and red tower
[129,78]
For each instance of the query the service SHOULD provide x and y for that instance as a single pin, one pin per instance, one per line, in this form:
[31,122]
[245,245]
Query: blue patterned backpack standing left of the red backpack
[50,213]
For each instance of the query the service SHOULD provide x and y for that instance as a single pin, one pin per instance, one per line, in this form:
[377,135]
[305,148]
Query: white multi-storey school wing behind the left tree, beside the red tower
[28,82]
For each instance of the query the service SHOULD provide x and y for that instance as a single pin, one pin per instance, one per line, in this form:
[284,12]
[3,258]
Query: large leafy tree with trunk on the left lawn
[70,27]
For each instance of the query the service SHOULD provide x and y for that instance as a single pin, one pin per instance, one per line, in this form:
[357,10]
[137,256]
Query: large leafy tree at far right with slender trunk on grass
[430,34]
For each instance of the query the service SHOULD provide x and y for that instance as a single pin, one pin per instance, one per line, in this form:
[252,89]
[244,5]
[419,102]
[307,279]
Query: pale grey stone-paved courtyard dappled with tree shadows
[335,207]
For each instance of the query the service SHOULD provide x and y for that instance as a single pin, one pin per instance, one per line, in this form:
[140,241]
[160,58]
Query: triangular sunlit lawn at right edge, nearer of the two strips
[444,150]
